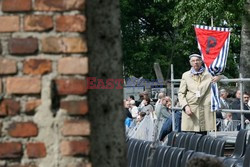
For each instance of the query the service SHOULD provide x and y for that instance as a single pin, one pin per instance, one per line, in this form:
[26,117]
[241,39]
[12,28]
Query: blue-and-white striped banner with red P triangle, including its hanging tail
[213,43]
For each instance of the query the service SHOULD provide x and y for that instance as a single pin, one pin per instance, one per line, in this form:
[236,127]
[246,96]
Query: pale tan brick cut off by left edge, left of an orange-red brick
[7,66]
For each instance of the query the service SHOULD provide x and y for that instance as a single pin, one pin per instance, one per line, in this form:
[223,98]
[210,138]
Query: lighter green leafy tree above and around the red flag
[222,13]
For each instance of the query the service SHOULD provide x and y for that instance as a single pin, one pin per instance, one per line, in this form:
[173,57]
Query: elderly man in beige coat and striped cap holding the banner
[195,98]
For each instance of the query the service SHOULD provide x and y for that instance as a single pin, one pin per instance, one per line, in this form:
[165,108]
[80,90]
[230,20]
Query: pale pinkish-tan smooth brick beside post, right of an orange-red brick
[73,65]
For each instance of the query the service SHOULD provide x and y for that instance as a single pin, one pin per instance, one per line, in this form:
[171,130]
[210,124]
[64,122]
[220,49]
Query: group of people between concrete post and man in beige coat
[146,112]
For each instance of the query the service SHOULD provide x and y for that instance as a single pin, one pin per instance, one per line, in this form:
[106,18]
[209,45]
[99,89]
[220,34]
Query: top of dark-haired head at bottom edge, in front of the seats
[205,161]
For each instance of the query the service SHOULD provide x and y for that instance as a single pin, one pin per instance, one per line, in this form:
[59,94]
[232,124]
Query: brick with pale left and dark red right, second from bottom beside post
[75,148]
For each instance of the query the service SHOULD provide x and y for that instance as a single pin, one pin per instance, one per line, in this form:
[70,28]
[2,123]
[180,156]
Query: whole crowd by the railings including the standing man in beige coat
[149,120]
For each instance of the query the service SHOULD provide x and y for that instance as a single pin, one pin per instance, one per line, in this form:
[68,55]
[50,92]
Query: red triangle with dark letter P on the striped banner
[211,43]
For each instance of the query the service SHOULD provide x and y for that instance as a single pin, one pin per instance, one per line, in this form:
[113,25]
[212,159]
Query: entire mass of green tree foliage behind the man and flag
[163,32]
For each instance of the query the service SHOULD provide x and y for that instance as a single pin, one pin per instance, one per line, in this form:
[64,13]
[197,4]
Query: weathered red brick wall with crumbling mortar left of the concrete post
[43,67]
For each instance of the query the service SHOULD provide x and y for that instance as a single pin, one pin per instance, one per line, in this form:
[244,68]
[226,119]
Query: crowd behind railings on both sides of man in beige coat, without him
[159,114]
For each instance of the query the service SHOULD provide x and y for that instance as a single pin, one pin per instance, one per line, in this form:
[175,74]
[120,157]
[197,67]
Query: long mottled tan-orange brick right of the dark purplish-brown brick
[64,45]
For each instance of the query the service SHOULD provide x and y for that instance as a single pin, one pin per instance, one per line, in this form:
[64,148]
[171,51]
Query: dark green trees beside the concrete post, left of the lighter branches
[147,36]
